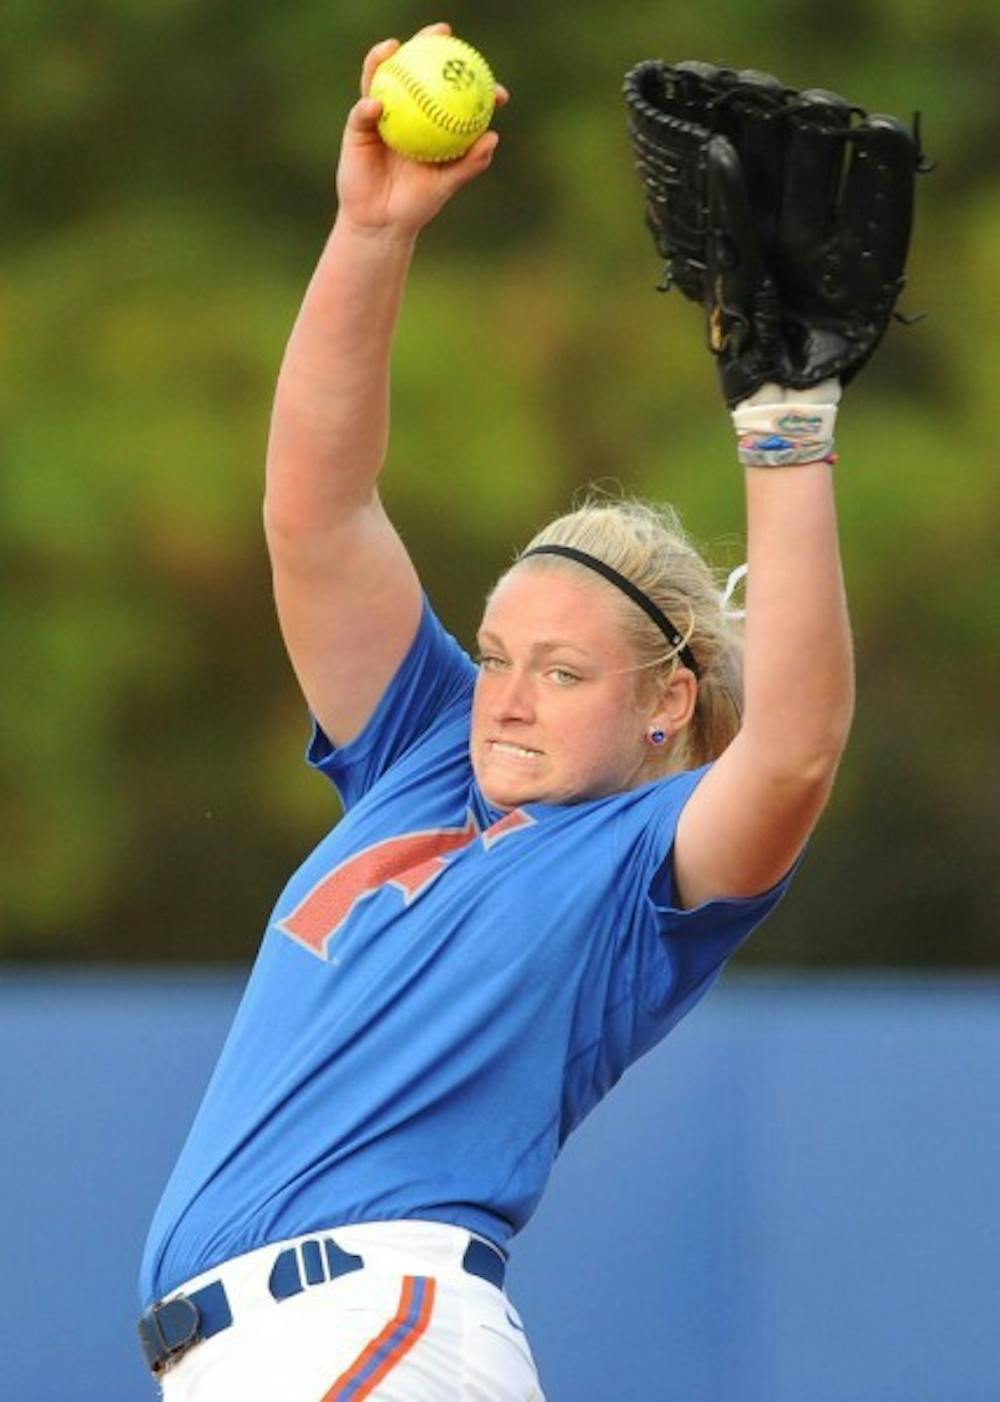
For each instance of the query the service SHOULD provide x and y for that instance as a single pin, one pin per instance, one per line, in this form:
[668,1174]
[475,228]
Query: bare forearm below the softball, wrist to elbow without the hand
[330,418]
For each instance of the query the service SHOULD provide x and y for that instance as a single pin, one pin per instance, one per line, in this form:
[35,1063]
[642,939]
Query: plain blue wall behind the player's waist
[795,1199]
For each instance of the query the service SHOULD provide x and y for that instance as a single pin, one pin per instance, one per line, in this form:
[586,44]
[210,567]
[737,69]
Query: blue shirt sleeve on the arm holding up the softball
[433,685]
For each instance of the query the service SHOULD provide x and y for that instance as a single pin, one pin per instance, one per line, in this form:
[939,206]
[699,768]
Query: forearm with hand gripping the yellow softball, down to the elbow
[330,421]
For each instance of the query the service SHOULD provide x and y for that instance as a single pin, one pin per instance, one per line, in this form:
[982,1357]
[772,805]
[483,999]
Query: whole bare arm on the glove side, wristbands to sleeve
[750,818]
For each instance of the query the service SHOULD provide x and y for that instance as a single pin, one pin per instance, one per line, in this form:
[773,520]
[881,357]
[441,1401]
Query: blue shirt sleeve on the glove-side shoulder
[677,954]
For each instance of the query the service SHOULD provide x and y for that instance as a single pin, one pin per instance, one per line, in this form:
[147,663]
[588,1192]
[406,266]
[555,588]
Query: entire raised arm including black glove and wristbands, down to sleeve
[788,217]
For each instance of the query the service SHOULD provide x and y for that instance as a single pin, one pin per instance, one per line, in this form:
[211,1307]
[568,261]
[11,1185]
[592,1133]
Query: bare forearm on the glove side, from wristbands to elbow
[799,665]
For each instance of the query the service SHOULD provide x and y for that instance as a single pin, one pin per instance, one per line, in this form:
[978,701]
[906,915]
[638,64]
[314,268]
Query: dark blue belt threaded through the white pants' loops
[170,1328]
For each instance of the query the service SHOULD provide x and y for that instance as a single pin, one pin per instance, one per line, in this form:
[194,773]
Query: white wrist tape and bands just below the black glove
[781,428]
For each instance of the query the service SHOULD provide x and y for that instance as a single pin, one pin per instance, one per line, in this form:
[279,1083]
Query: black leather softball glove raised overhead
[788,215]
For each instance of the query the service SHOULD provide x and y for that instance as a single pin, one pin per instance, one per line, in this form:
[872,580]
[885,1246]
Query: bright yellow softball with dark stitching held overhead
[437,97]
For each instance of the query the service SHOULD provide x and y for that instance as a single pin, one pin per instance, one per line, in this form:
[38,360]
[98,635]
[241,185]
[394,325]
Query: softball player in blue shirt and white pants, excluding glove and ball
[545,862]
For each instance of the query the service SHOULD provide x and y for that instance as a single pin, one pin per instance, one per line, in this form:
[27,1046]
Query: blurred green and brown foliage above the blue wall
[168,184]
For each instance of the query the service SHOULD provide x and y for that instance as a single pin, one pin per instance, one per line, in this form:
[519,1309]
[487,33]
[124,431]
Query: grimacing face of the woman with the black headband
[556,716]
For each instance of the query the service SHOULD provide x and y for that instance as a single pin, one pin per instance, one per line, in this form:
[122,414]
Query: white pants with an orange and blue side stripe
[412,1327]
